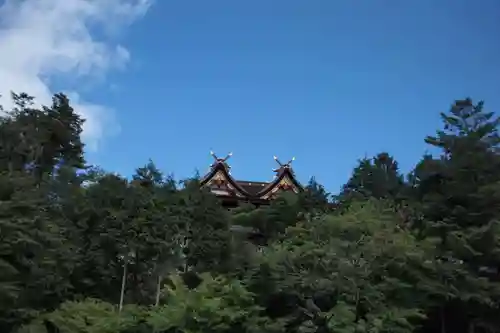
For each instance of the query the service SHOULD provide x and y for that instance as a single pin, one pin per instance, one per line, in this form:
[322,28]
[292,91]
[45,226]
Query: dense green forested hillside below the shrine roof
[84,250]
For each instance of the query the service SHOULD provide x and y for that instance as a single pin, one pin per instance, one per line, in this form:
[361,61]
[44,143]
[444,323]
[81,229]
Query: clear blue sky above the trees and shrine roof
[325,81]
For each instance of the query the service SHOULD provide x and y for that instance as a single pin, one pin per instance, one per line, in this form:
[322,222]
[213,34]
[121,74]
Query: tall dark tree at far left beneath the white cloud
[33,251]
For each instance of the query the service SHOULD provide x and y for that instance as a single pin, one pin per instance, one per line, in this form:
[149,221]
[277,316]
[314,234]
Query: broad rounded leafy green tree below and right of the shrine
[338,269]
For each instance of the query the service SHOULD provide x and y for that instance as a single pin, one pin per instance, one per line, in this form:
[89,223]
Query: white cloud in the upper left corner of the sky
[40,39]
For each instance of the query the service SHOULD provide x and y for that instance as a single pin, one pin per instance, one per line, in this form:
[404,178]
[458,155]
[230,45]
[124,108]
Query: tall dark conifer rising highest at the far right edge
[460,189]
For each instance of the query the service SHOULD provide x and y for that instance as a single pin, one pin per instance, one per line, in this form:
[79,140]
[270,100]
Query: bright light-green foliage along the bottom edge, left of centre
[217,304]
